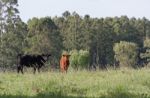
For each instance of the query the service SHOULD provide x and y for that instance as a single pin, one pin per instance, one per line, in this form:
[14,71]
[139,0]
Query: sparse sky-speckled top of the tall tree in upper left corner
[8,13]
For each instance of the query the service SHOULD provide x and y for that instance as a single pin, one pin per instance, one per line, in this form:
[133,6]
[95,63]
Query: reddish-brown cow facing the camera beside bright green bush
[64,63]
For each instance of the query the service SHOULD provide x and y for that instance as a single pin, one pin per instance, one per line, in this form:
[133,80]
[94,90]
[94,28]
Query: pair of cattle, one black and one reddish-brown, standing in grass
[37,61]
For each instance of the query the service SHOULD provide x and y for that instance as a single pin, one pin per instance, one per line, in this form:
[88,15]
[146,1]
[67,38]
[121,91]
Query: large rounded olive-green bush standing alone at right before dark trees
[126,53]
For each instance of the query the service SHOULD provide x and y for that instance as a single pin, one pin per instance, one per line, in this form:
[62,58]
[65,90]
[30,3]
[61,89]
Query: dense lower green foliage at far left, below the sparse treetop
[13,43]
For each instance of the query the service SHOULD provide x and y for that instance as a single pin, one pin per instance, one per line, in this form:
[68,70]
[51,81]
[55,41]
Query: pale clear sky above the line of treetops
[95,8]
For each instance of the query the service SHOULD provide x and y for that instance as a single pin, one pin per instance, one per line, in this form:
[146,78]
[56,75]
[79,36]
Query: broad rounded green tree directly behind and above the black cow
[43,37]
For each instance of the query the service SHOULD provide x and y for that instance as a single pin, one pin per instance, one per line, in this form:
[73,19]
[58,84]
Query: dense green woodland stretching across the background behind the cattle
[110,41]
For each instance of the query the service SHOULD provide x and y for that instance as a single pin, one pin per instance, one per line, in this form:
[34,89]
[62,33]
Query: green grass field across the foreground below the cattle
[82,84]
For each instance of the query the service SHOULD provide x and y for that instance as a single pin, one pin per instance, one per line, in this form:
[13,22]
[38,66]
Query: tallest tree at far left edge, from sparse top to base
[12,31]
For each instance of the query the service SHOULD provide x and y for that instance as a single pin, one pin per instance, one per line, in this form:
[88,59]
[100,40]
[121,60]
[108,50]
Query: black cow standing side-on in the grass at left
[35,61]
